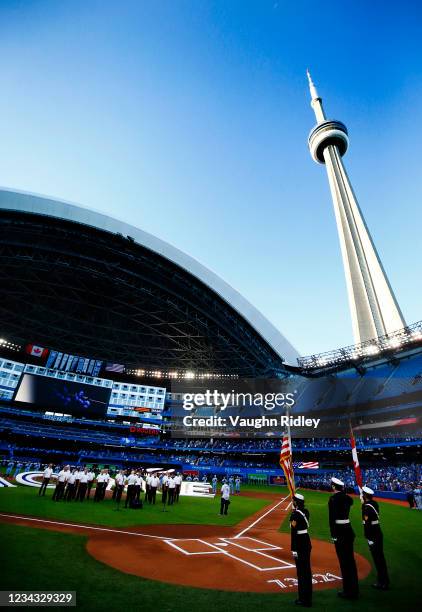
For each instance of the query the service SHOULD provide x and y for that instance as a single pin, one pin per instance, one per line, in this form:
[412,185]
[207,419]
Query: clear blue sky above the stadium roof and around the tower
[190,120]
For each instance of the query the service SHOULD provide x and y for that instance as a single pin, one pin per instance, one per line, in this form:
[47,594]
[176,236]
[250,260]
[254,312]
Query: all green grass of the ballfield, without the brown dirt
[37,559]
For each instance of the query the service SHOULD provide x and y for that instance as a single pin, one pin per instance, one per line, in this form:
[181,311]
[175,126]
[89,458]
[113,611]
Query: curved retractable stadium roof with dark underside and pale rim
[85,283]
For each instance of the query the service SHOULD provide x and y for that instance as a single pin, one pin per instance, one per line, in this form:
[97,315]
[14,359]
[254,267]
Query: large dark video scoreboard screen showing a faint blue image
[66,396]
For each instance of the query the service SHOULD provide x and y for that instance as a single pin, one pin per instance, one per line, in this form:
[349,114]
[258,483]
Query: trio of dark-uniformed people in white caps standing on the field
[343,537]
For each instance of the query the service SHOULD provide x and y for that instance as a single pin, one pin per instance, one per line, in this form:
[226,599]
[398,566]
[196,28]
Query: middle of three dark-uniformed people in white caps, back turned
[343,537]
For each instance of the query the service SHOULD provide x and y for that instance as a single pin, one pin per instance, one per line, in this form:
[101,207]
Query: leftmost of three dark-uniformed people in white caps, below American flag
[301,550]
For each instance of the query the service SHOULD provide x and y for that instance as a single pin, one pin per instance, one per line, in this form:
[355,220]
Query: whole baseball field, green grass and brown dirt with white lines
[189,557]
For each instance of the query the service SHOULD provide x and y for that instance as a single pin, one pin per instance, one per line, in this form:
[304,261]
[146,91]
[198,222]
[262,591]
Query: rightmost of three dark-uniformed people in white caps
[373,533]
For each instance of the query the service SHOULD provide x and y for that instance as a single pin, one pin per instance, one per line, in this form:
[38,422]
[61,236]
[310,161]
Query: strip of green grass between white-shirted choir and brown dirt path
[25,500]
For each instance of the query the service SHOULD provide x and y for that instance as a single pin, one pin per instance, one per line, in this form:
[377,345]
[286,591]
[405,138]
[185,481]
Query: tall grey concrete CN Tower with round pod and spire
[374,308]
